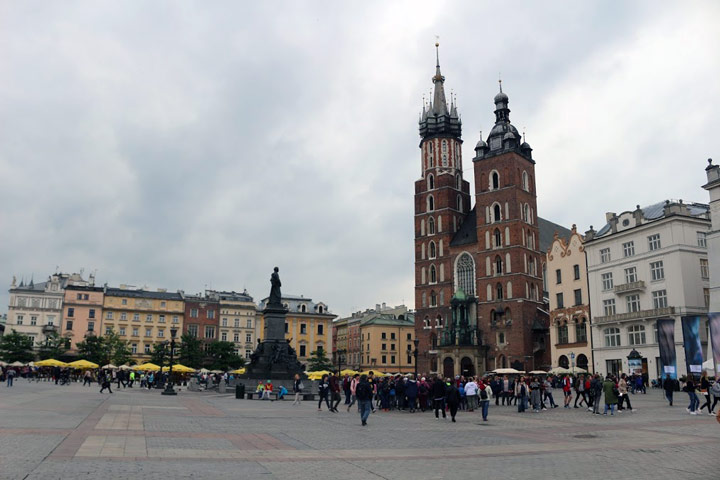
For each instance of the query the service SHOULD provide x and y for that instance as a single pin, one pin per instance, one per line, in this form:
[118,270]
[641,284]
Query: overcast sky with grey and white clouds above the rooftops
[192,145]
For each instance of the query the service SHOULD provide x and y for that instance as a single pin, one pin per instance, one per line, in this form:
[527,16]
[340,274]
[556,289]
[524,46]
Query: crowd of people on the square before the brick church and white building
[597,394]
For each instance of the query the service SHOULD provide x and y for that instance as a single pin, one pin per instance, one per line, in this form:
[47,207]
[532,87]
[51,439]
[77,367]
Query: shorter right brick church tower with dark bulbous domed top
[509,261]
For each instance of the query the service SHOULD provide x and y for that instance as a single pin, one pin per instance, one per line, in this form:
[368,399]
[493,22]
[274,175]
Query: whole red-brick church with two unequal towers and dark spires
[478,269]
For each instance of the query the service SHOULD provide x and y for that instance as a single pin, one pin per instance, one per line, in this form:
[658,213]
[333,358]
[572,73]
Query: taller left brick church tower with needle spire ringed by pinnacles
[442,199]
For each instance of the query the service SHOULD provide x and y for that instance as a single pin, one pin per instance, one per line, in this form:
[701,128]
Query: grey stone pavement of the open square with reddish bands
[57,432]
